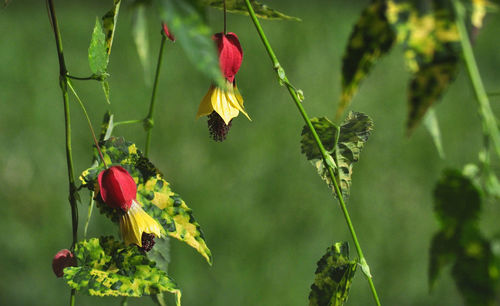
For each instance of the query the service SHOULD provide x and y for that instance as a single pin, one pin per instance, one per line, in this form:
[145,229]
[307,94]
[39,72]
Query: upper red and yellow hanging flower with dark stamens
[223,104]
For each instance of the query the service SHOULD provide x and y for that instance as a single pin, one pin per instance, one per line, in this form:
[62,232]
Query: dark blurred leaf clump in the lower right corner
[459,242]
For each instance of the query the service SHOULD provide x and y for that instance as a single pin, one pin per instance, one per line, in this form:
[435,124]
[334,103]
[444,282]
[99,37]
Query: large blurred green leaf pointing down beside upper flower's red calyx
[193,35]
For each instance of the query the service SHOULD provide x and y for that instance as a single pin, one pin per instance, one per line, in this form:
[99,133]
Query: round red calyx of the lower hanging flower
[117,187]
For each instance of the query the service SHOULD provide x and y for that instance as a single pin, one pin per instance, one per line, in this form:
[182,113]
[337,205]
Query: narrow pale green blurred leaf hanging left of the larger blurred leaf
[140,35]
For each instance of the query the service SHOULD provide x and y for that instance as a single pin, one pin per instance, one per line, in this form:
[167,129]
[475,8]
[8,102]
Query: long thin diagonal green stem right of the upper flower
[293,93]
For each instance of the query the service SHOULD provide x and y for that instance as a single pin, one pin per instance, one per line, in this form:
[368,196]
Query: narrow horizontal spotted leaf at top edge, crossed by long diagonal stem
[239,7]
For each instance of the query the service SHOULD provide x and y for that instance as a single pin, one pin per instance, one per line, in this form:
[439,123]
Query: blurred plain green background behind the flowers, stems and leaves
[266,215]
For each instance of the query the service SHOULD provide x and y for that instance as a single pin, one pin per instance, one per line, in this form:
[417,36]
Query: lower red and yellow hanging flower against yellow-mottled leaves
[119,190]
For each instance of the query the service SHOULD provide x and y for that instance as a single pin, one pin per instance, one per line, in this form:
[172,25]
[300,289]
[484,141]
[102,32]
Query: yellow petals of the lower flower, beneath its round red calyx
[135,222]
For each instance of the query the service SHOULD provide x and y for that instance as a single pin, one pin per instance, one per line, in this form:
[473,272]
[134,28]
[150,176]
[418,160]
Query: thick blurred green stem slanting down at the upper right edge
[488,118]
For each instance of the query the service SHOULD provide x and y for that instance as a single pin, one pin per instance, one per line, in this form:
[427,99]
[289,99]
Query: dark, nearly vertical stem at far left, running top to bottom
[63,82]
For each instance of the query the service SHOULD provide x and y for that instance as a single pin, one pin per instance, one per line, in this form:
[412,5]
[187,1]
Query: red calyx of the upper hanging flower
[230,54]
